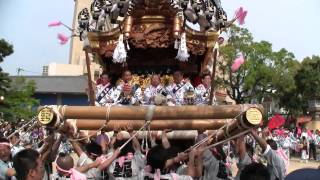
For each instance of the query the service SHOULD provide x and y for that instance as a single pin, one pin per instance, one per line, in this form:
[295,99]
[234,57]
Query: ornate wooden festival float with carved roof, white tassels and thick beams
[156,36]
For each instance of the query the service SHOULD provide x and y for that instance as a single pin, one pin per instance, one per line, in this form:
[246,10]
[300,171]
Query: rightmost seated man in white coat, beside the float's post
[203,90]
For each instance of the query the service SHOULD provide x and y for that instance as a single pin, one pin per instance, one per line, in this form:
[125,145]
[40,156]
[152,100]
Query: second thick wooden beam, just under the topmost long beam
[195,124]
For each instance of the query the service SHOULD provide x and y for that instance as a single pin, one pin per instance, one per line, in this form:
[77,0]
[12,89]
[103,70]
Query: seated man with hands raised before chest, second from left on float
[130,93]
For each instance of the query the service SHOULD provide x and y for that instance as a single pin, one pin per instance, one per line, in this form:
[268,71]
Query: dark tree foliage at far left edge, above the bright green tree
[5,50]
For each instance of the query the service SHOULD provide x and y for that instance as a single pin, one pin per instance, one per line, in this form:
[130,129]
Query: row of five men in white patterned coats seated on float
[111,91]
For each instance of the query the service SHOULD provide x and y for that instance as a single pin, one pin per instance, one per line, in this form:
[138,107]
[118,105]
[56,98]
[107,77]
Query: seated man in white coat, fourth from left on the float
[178,89]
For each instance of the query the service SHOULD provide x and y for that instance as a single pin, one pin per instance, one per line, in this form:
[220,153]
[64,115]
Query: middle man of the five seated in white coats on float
[153,90]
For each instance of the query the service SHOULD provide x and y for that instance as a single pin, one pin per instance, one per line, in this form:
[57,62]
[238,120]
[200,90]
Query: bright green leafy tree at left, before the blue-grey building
[18,102]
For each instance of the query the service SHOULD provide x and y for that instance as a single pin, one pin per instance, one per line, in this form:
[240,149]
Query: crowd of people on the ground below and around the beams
[57,155]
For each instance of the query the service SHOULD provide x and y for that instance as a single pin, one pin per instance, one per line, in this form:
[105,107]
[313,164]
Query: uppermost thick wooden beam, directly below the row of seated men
[160,112]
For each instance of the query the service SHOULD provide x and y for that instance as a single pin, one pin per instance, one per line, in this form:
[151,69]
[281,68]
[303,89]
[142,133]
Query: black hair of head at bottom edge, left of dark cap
[255,171]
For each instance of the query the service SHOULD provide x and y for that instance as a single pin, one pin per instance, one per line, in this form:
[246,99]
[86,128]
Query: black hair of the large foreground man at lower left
[24,161]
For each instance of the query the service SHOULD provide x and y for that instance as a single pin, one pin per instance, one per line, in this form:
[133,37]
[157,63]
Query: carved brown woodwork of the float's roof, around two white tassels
[152,27]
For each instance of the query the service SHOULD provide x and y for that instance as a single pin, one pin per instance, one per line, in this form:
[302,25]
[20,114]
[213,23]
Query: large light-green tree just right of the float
[265,74]
